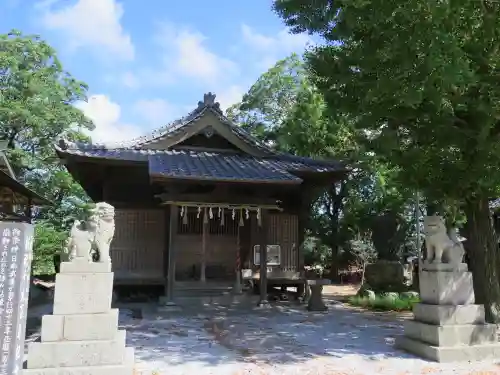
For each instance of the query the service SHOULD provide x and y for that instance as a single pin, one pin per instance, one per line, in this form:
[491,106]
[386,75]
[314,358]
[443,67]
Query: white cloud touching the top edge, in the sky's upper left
[91,23]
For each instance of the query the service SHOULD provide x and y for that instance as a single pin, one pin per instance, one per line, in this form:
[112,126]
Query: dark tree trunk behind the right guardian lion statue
[482,250]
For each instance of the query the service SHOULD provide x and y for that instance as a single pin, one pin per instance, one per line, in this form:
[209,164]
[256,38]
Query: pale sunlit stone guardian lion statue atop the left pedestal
[94,234]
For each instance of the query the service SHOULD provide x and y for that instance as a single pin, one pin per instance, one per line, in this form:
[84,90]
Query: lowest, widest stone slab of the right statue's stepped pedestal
[459,353]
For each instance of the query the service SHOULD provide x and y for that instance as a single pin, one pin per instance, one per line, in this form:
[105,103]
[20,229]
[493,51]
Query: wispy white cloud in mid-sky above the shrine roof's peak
[186,54]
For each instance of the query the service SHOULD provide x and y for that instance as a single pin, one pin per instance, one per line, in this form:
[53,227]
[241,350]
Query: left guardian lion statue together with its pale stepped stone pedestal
[82,336]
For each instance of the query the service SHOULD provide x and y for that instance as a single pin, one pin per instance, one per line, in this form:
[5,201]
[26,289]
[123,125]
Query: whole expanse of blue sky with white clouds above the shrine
[149,64]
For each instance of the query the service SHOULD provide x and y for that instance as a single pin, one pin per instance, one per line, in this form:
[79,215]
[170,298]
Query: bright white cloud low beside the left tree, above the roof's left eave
[106,116]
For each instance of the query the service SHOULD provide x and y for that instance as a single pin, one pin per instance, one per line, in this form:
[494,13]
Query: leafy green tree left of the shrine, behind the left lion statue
[37,100]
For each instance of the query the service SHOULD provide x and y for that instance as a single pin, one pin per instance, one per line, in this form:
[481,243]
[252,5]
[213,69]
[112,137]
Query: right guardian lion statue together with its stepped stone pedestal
[447,326]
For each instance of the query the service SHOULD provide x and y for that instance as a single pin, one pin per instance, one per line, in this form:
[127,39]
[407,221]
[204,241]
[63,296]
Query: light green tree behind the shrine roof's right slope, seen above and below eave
[285,110]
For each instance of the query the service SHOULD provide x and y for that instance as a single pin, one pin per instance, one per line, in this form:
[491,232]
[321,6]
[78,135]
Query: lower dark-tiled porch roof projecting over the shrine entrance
[218,166]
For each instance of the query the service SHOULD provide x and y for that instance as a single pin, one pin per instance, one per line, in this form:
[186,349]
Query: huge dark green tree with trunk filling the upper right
[422,78]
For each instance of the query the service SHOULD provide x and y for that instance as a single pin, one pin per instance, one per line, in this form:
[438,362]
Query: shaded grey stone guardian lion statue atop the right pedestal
[441,246]
